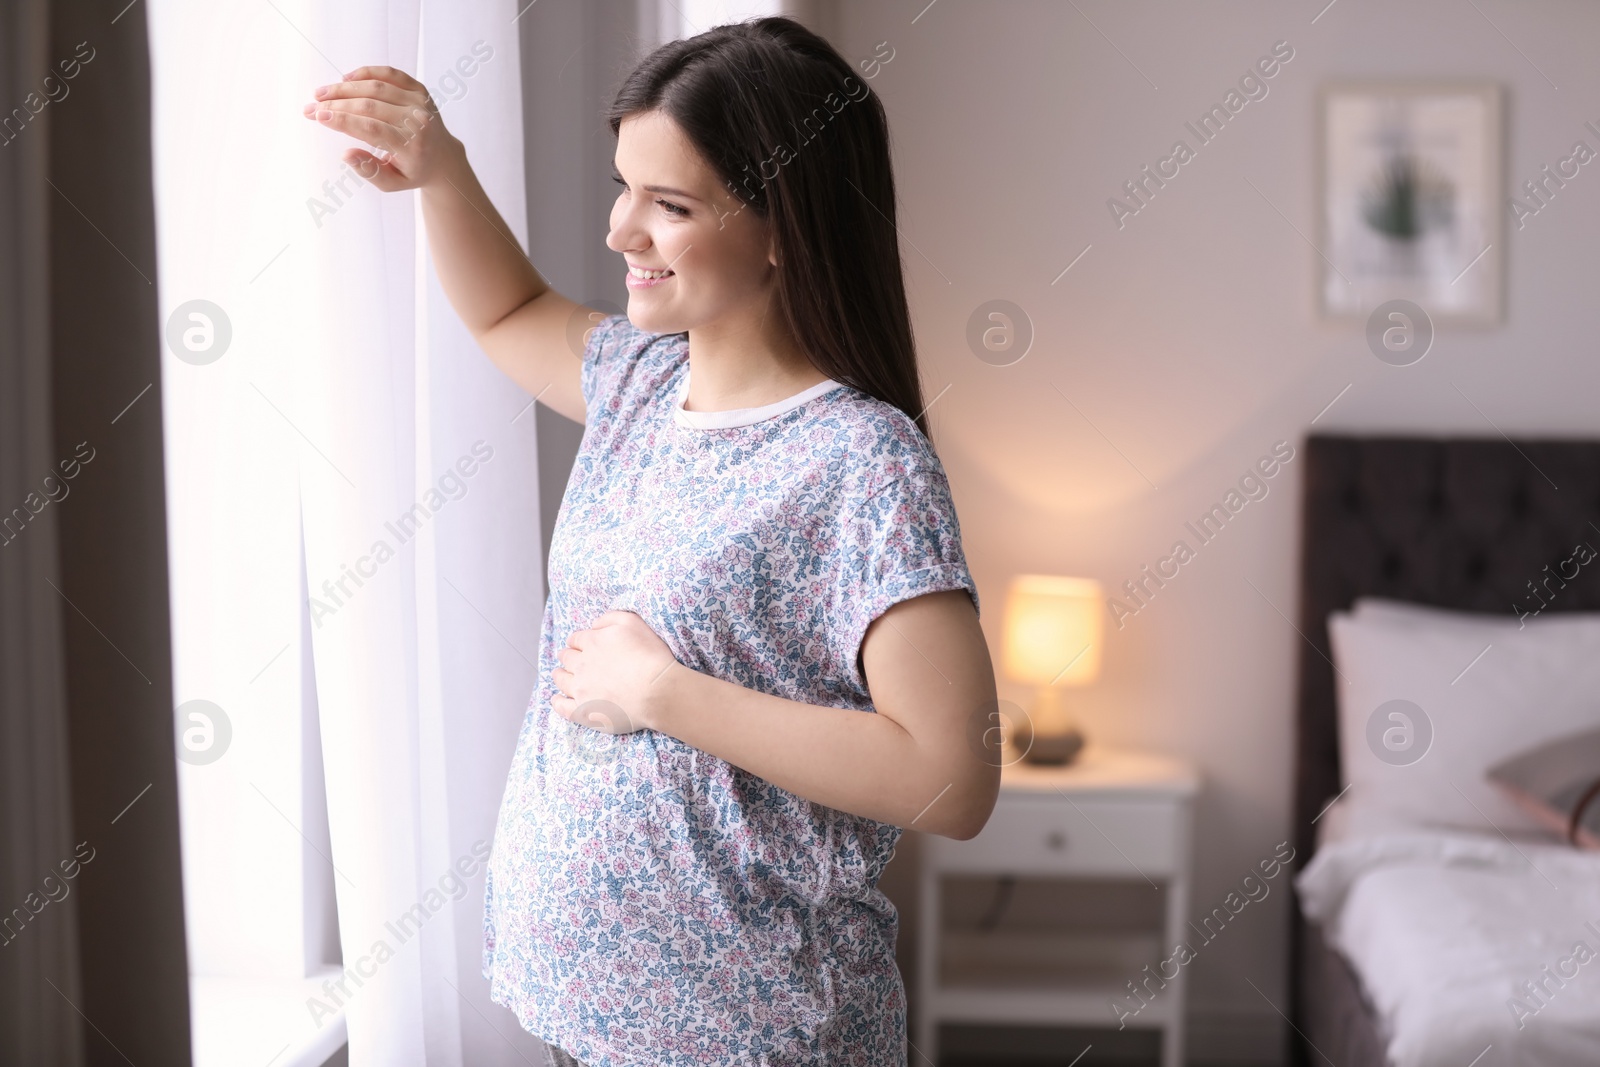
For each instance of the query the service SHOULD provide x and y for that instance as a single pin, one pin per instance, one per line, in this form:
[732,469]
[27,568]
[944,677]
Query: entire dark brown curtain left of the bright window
[89,746]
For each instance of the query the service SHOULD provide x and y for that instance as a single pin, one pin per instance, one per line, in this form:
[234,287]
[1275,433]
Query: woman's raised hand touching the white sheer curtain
[390,111]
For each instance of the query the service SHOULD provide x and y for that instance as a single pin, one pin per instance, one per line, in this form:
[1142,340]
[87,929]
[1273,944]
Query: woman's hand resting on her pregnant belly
[609,674]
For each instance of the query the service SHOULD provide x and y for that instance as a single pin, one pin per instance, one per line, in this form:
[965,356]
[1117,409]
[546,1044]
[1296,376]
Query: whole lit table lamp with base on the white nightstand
[1052,641]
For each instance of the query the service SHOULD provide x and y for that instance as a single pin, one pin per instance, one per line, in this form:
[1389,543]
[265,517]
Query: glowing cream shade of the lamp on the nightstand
[1054,629]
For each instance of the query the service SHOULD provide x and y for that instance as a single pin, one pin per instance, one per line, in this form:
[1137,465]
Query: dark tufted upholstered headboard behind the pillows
[1455,522]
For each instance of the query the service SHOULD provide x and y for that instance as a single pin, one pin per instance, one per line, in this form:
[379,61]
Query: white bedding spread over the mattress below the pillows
[1444,925]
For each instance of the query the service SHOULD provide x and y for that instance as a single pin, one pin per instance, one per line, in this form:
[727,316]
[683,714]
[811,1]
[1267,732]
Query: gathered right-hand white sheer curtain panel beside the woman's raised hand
[422,557]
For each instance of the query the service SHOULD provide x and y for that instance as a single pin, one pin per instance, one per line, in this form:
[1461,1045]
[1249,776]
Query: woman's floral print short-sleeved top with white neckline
[654,906]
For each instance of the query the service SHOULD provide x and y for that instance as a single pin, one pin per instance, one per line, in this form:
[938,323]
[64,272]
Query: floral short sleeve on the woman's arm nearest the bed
[898,543]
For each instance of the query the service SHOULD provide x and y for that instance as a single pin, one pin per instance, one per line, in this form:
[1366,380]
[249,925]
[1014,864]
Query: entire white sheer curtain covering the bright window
[350,436]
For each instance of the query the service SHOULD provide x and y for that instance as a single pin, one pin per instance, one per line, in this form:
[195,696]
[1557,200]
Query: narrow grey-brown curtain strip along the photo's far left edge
[38,946]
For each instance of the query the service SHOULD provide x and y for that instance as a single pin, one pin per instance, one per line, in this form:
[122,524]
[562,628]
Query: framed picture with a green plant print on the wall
[1410,199]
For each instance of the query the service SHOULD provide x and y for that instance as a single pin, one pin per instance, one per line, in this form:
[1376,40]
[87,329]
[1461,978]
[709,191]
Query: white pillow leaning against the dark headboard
[1486,687]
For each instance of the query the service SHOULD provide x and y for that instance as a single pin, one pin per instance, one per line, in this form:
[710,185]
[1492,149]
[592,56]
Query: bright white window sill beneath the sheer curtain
[254,1023]
